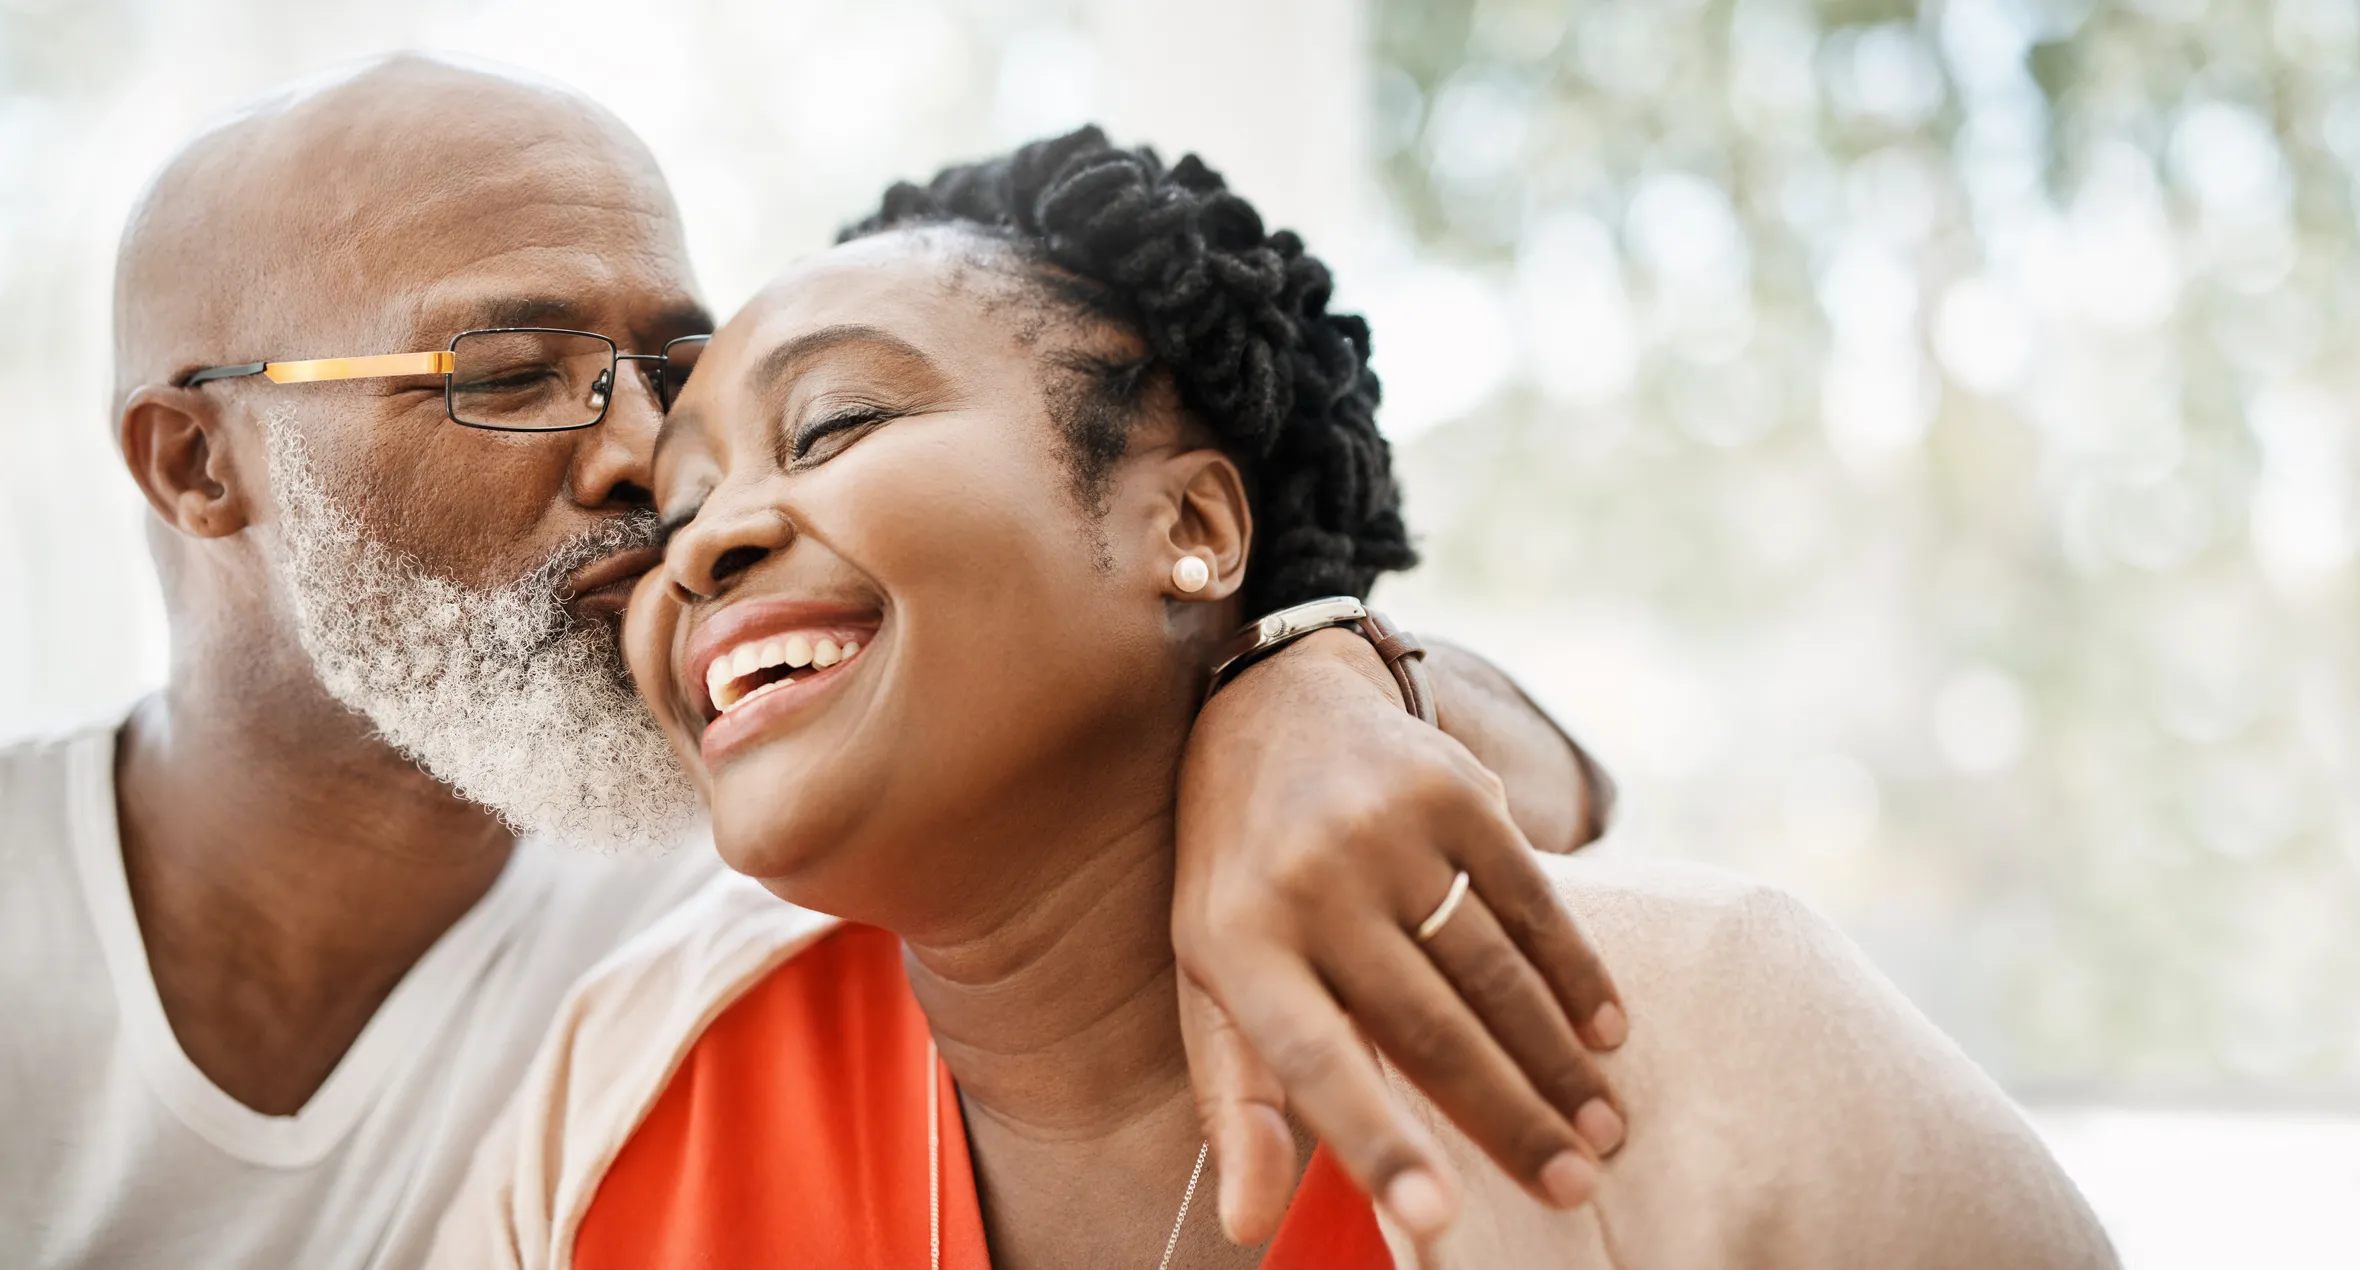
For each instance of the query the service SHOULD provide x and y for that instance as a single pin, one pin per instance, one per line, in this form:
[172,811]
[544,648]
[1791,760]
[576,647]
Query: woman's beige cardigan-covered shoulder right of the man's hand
[1776,1080]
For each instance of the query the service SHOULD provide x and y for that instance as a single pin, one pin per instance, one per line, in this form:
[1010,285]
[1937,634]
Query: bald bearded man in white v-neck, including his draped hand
[282,941]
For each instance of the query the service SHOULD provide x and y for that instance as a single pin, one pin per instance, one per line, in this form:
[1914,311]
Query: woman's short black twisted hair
[1235,317]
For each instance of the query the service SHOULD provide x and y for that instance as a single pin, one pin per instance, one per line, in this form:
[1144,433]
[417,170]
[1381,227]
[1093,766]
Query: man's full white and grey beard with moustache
[492,693]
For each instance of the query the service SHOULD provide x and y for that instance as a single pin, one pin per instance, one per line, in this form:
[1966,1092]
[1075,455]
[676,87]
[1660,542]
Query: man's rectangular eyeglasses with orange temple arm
[509,379]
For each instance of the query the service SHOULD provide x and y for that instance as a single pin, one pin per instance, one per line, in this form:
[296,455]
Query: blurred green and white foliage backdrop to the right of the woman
[1951,412]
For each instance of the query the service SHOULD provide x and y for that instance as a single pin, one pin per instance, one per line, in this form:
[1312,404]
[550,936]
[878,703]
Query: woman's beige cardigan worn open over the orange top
[1788,1106]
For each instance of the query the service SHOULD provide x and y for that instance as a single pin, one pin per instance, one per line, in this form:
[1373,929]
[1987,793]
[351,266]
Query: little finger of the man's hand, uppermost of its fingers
[1533,917]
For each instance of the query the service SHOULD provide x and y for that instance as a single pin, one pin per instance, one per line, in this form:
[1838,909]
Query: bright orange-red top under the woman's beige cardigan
[794,1134]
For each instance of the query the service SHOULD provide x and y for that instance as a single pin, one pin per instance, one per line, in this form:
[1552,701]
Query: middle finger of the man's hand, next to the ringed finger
[1412,1012]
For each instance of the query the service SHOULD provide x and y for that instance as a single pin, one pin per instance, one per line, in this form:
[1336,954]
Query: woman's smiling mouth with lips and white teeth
[756,665]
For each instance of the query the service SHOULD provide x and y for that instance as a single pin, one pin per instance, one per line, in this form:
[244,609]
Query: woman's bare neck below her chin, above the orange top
[1063,1030]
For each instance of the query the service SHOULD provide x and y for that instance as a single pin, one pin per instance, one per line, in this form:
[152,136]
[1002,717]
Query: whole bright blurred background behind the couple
[1910,443]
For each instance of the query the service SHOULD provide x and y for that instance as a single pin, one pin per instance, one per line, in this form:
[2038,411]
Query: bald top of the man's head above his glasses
[324,216]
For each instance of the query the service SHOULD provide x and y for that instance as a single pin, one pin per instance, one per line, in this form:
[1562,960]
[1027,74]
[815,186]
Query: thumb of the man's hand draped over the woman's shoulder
[1245,1115]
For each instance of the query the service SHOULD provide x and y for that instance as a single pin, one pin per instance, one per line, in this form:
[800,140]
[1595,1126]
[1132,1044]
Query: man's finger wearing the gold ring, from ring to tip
[1514,1002]
